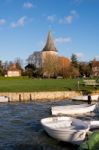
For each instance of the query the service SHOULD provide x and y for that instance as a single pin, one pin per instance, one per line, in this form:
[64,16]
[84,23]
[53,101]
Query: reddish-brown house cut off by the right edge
[95,67]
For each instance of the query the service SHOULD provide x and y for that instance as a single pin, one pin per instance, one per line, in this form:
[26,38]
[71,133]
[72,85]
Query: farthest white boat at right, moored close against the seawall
[85,98]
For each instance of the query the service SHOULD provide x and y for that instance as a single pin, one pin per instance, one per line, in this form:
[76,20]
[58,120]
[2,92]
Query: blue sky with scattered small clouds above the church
[24,26]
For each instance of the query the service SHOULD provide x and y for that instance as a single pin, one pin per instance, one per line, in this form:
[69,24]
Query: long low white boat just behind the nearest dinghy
[72,109]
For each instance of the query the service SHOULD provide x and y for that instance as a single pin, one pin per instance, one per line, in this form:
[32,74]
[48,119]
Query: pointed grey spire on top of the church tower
[49,44]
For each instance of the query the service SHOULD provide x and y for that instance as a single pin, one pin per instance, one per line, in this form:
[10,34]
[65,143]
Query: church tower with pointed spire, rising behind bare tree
[49,57]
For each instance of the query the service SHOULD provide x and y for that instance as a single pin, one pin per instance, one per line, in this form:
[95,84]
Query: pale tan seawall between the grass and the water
[41,96]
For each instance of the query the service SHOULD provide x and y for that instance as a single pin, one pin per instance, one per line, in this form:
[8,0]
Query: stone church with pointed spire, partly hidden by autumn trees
[48,59]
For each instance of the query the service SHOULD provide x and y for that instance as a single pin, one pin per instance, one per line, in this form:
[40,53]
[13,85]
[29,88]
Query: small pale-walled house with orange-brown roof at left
[13,71]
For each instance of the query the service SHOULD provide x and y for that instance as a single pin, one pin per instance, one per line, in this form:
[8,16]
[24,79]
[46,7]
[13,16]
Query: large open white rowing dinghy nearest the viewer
[66,129]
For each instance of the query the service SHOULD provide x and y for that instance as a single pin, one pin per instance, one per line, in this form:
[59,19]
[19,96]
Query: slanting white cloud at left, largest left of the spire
[19,23]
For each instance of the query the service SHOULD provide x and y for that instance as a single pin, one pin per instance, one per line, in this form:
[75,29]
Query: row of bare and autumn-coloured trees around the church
[51,66]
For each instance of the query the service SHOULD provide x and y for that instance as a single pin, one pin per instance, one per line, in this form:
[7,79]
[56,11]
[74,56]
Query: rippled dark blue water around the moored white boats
[20,127]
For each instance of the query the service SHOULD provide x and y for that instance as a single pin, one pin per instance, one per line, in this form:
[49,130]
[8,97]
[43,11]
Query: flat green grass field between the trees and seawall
[23,84]
